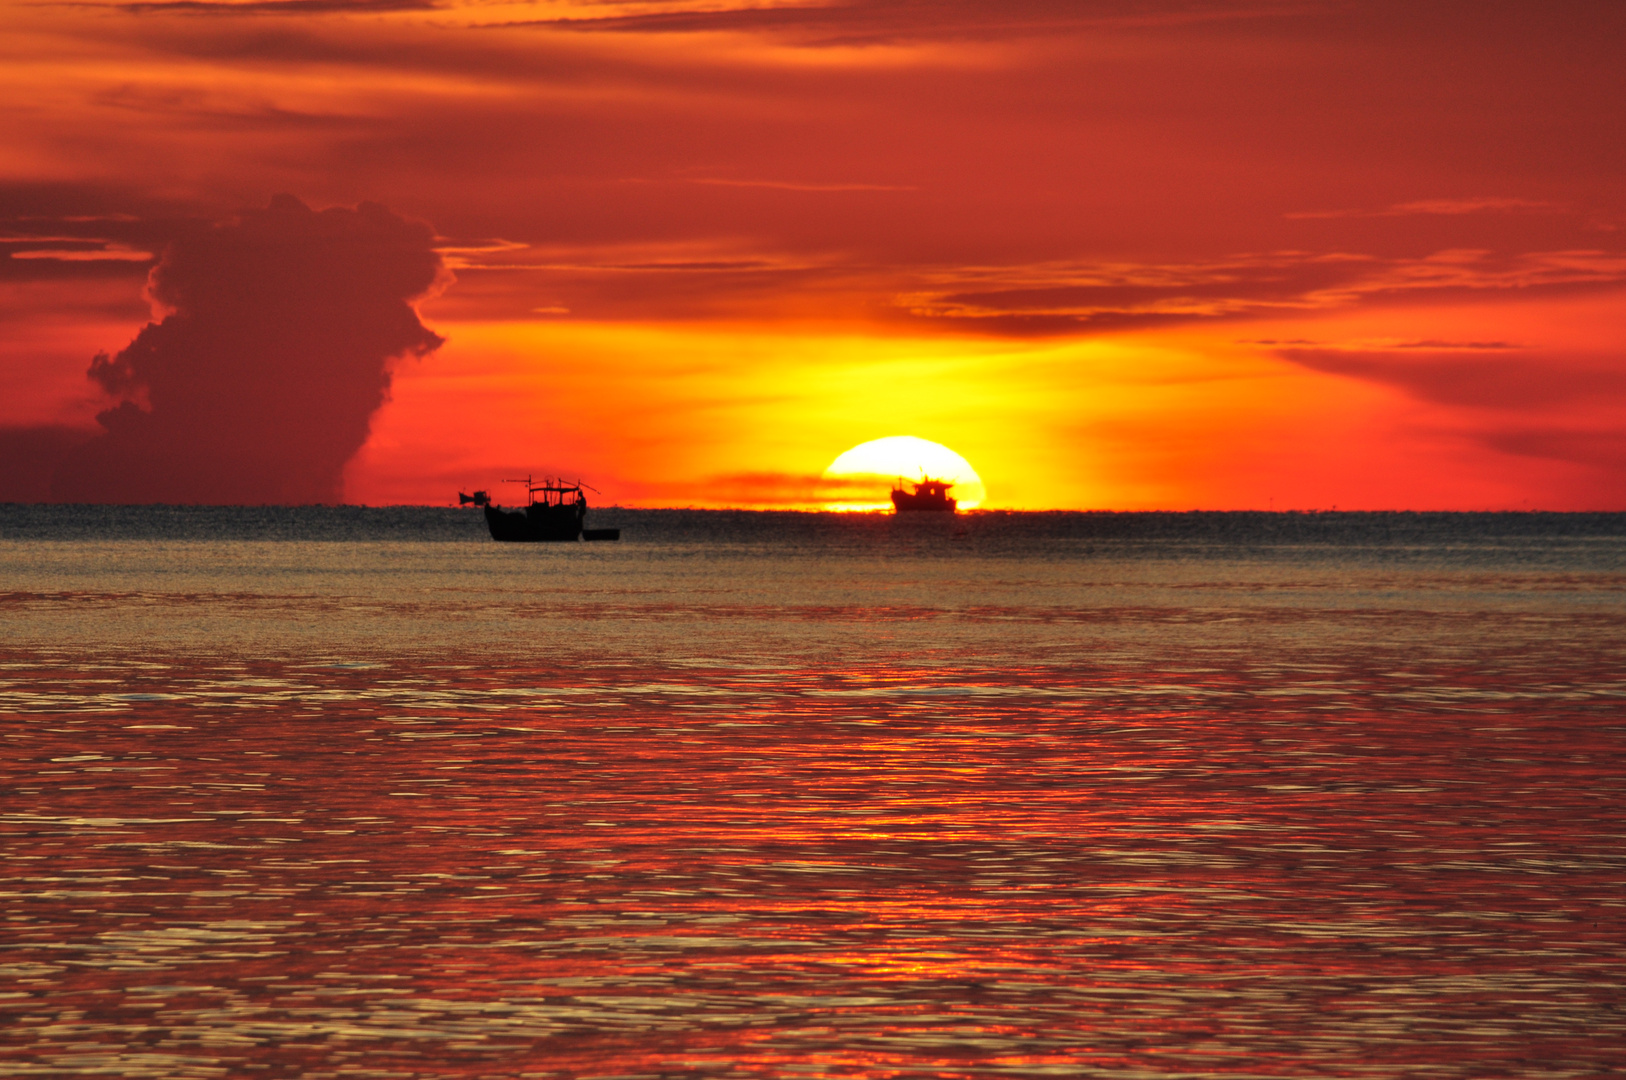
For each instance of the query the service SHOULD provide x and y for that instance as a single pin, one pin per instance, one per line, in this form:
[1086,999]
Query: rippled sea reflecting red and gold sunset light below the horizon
[357,793]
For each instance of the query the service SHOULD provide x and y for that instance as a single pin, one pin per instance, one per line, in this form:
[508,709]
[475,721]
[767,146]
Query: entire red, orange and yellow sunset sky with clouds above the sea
[1134,255]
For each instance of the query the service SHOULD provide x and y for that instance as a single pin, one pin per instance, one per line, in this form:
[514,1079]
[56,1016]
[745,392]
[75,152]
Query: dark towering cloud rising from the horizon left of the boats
[263,380]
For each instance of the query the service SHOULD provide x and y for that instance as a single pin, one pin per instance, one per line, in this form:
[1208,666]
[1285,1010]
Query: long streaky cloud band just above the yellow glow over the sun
[625,282]
